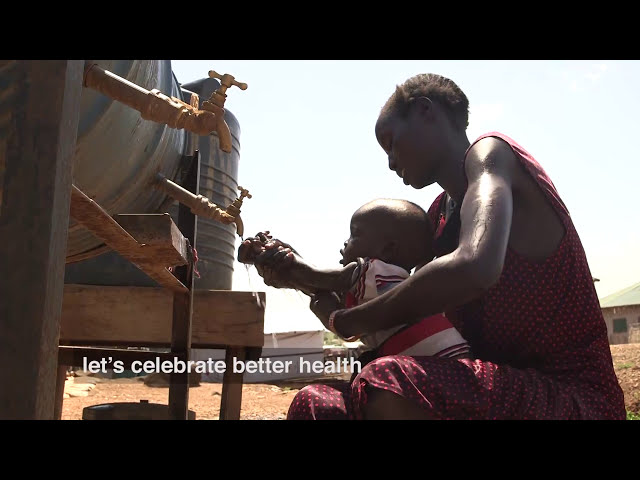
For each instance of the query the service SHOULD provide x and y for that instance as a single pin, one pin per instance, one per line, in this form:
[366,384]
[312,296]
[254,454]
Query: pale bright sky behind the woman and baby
[309,156]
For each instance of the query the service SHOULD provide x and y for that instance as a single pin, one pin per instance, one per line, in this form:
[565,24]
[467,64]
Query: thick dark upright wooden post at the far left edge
[34,219]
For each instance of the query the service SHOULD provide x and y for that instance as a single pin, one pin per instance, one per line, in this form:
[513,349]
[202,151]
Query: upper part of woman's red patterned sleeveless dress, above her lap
[542,315]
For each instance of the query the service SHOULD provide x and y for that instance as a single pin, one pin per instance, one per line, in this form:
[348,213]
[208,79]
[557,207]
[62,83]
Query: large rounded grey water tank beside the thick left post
[118,153]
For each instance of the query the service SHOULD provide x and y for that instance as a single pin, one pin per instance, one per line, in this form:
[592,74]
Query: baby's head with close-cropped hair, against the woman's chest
[395,231]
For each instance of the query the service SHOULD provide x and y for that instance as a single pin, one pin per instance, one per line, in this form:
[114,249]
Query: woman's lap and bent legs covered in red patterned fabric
[445,388]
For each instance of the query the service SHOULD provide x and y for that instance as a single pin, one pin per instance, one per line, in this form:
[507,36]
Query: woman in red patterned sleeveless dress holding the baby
[511,275]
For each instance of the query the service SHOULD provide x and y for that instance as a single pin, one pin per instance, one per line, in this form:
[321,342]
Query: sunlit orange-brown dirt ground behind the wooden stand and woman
[271,402]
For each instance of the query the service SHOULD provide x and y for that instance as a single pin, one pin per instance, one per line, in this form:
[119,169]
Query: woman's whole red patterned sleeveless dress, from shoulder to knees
[538,335]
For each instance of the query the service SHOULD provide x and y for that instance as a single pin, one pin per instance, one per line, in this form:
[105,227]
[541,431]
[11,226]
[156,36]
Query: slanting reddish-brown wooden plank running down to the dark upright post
[95,219]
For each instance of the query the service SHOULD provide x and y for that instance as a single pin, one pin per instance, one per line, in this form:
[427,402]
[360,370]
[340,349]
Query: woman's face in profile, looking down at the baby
[408,142]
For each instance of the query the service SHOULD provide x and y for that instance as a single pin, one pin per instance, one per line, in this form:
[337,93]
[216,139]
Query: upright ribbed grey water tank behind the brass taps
[216,242]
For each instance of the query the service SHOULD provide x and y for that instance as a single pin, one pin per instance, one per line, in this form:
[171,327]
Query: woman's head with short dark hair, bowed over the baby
[418,124]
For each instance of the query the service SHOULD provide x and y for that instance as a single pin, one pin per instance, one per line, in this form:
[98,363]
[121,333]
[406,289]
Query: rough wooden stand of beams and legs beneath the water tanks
[139,316]
